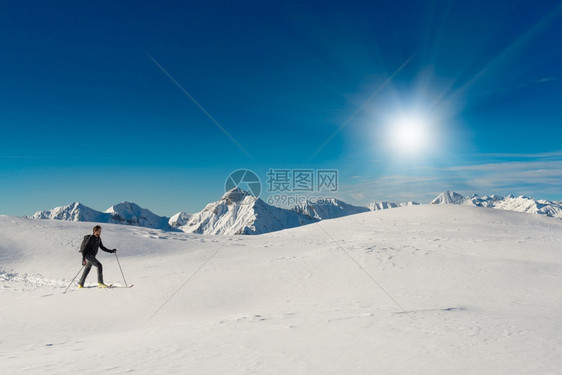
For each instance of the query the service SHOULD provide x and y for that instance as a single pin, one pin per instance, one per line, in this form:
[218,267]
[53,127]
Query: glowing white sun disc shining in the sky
[409,134]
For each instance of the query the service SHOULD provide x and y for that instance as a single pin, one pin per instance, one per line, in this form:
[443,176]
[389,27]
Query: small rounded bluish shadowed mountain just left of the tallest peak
[132,214]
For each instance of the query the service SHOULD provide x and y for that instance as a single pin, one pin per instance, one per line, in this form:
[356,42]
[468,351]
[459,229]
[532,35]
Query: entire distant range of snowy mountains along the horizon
[238,212]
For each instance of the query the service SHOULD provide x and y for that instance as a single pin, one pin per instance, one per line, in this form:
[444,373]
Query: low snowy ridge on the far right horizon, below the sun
[509,203]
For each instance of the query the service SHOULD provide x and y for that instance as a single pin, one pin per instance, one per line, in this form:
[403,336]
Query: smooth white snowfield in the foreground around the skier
[480,290]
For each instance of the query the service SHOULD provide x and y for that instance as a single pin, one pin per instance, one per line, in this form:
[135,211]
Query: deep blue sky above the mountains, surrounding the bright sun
[98,99]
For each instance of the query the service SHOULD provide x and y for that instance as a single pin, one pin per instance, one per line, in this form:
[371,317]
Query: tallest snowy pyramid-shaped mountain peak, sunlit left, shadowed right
[238,212]
